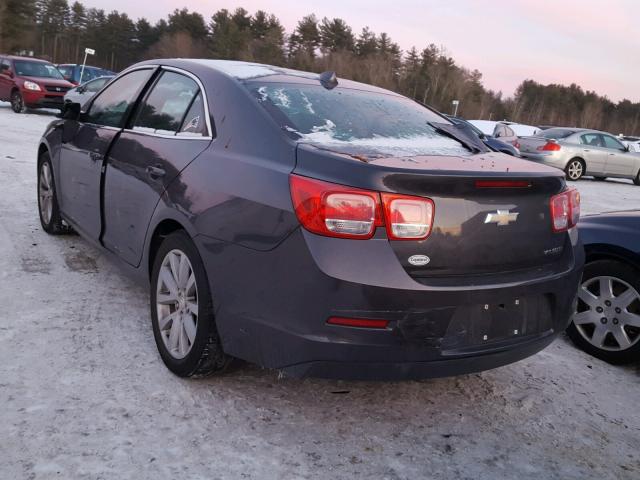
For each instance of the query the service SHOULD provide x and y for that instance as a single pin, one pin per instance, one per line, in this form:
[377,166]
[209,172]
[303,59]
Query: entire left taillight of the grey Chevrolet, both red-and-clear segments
[346,212]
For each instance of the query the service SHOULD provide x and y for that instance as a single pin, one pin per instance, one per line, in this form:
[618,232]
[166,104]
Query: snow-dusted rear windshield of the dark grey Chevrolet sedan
[355,121]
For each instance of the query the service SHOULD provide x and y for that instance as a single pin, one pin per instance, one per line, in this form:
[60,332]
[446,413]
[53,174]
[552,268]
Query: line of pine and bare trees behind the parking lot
[59,31]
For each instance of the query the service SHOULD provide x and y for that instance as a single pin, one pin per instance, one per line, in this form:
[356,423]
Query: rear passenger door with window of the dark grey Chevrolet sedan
[170,128]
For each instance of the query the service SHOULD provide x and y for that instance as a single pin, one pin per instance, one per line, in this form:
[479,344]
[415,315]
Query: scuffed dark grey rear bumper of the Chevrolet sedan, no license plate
[272,309]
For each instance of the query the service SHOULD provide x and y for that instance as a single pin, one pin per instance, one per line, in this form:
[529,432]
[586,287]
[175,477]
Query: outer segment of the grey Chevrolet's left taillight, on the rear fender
[335,210]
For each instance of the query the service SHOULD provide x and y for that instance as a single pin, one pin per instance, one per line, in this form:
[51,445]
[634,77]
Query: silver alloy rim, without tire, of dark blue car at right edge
[603,317]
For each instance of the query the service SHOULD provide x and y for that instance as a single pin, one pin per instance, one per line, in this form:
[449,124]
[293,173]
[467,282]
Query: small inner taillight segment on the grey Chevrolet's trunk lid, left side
[407,218]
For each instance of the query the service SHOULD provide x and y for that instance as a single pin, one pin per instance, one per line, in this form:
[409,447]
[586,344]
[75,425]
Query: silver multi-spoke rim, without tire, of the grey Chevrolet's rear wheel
[177,303]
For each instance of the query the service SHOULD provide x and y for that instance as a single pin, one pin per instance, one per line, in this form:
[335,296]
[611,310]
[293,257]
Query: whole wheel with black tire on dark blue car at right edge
[594,316]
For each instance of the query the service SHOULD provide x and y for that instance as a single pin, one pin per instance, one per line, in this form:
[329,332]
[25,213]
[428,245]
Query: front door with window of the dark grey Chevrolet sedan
[85,145]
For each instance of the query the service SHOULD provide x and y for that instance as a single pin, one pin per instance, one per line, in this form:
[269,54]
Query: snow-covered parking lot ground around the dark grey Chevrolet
[84,394]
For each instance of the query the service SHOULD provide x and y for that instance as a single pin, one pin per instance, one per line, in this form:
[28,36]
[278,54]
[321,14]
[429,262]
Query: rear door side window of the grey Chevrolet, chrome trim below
[174,106]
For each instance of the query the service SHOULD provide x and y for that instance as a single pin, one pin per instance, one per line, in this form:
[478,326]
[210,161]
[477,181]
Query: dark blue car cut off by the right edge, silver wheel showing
[607,319]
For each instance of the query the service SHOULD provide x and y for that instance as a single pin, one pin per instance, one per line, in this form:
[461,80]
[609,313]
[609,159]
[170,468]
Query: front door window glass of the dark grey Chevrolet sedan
[112,106]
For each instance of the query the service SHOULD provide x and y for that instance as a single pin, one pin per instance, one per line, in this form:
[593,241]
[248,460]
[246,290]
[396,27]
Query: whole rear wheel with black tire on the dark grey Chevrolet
[195,347]
